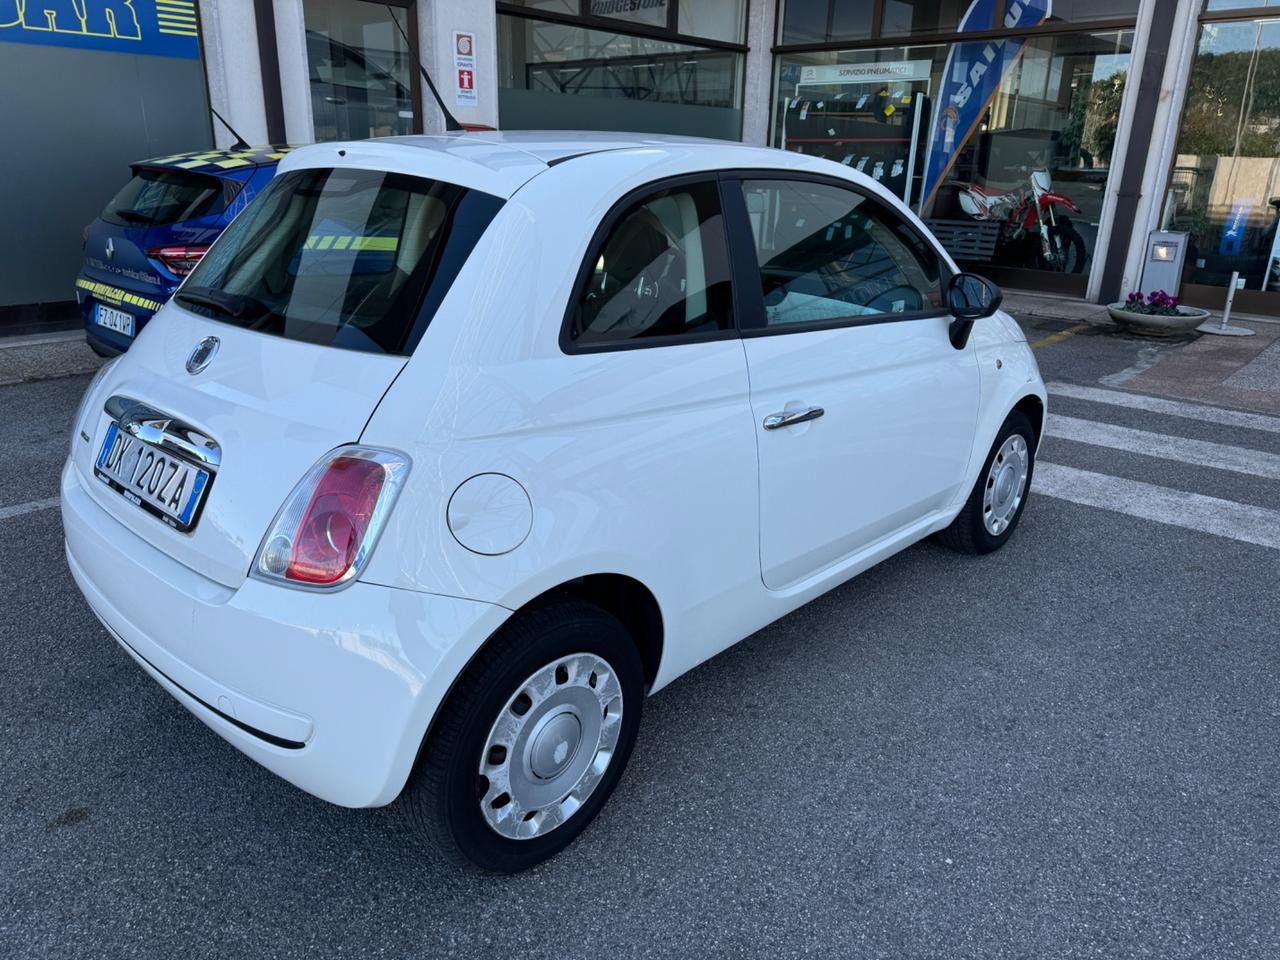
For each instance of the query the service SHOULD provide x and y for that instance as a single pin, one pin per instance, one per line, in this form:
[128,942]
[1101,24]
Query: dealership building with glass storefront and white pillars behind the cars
[1002,122]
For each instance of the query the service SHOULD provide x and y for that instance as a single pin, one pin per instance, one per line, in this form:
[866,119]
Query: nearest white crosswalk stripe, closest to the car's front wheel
[1192,511]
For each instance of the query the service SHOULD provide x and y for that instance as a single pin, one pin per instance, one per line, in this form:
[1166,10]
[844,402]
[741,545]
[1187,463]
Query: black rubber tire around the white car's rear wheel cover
[442,802]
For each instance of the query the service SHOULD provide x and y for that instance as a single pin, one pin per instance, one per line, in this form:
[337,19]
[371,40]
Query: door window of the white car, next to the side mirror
[831,254]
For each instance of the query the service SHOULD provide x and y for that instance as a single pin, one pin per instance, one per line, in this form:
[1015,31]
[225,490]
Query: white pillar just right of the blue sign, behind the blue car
[234,71]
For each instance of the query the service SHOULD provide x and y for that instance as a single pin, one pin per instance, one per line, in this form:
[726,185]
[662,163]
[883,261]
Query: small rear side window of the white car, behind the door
[661,272]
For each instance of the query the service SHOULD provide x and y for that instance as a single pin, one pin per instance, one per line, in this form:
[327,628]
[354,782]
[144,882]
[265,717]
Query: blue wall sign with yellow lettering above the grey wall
[154,28]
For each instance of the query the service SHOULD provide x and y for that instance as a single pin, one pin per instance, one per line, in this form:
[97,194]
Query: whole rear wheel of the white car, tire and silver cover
[532,742]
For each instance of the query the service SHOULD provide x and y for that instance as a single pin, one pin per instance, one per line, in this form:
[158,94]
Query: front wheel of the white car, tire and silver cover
[996,504]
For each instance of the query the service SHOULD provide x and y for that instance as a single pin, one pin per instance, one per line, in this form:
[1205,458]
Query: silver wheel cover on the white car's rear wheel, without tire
[551,746]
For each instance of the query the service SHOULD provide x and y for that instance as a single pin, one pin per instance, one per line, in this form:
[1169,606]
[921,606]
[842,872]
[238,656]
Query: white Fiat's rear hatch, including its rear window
[317,298]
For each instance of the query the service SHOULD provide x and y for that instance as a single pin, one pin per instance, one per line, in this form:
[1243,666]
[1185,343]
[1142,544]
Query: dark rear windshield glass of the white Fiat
[353,259]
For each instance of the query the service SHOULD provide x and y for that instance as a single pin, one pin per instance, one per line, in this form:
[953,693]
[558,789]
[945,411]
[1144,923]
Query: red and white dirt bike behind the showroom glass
[1034,231]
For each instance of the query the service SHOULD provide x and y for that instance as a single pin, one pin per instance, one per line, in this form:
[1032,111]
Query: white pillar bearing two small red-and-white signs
[437,22]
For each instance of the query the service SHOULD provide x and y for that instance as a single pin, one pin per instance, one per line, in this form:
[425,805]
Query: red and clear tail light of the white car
[328,527]
